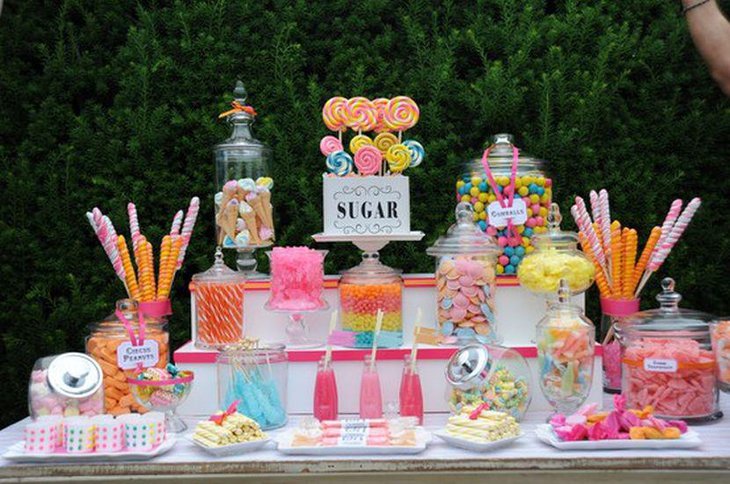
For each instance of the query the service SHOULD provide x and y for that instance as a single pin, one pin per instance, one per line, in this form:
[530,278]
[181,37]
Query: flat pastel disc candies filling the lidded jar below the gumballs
[465,297]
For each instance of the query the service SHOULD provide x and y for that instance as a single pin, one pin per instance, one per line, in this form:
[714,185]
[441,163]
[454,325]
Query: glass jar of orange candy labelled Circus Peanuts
[120,346]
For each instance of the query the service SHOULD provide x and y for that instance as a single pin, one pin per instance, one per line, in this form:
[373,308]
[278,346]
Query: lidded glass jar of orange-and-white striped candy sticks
[218,313]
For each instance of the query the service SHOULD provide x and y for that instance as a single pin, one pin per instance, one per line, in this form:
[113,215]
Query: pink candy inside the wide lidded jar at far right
[690,391]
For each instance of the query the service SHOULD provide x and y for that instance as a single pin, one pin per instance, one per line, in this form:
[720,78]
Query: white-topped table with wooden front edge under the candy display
[528,460]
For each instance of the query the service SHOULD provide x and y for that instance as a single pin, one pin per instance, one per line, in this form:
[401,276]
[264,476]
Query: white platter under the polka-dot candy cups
[16,453]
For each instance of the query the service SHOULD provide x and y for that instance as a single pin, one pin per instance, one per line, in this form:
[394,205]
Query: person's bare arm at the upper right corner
[710,32]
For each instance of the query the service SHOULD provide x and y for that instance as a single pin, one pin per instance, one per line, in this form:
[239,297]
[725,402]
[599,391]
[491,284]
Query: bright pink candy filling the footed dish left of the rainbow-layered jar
[297,278]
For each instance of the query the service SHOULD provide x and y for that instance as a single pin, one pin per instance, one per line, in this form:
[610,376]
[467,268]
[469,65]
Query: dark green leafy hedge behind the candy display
[103,102]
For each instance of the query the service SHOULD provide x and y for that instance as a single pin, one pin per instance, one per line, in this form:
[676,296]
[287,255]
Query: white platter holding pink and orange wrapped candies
[688,440]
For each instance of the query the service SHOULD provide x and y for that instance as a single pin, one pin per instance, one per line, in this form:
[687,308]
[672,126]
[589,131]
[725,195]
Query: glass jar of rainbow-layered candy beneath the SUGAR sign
[364,289]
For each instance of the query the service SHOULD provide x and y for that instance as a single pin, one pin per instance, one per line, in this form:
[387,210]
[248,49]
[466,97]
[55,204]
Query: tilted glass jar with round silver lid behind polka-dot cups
[68,385]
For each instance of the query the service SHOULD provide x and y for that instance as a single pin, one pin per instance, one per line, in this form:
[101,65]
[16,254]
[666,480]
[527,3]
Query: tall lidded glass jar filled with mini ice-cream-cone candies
[243,210]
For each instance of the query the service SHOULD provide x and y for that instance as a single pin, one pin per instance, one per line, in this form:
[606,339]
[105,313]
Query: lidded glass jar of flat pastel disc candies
[466,281]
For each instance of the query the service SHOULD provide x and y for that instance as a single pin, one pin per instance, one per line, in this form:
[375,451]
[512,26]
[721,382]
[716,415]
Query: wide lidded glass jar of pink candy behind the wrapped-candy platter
[667,360]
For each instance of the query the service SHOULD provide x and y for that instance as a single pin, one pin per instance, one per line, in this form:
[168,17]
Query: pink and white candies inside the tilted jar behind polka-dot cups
[44,401]
